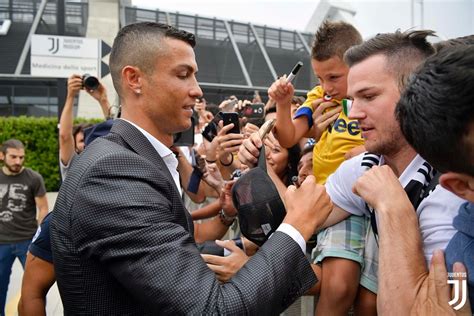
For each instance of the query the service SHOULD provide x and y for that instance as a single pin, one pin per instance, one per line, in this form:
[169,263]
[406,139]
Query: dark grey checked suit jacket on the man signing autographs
[123,243]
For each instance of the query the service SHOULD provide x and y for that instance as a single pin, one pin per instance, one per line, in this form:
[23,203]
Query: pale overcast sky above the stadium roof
[450,18]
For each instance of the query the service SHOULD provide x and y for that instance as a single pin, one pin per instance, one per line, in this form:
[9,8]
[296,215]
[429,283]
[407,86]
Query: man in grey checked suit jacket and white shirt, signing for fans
[122,240]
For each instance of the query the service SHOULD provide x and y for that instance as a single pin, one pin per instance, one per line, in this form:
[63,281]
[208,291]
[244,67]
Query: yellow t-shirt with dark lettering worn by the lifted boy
[335,141]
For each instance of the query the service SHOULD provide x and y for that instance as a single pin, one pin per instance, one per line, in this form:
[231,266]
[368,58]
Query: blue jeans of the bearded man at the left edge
[8,253]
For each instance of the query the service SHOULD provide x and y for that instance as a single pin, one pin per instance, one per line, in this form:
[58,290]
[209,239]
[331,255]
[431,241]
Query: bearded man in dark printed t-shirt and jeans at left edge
[22,191]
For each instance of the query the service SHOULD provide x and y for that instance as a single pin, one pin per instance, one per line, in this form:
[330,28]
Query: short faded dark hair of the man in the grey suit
[139,44]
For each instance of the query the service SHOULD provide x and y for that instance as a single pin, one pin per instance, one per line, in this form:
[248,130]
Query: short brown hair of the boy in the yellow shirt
[333,39]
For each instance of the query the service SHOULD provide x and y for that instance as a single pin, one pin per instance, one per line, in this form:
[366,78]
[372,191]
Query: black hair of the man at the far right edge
[436,111]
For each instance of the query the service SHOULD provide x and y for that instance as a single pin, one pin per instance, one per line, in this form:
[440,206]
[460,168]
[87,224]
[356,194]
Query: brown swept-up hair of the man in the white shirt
[404,51]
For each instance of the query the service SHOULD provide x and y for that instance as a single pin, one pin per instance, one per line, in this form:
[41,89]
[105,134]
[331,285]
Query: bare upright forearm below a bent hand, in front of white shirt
[400,249]
